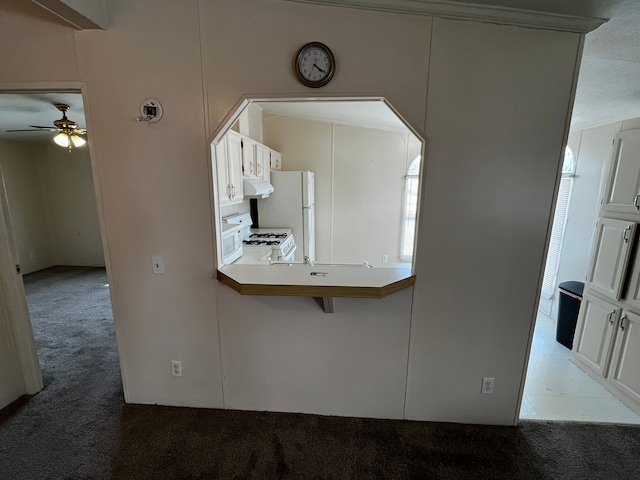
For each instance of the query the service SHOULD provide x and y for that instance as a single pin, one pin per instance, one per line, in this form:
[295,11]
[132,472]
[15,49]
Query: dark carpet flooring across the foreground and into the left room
[78,427]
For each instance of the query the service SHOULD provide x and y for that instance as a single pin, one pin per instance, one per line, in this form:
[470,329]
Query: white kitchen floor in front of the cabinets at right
[556,389]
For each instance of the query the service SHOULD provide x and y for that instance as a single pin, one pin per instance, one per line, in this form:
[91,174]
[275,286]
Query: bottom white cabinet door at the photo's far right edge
[624,372]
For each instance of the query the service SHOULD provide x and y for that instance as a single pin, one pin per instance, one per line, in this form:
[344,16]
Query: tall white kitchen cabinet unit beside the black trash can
[607,336]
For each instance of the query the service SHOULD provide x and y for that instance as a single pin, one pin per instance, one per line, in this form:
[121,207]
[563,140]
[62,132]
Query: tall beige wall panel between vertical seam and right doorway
[497,112]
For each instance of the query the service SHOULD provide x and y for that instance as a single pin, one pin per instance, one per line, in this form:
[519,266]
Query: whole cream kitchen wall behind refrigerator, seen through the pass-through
[359,180]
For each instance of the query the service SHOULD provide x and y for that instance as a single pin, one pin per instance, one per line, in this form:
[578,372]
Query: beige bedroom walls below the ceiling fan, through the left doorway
[52,205]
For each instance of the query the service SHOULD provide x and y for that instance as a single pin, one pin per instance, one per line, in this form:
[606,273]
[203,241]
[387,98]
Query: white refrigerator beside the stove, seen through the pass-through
[291,205]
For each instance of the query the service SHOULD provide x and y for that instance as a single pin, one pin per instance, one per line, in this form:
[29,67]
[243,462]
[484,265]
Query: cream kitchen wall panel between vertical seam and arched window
[368,177]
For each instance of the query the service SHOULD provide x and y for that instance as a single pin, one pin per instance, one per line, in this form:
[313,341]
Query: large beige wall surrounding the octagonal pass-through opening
[498,99]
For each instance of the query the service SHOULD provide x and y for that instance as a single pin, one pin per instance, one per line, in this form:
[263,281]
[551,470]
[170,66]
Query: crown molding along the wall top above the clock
[472,12]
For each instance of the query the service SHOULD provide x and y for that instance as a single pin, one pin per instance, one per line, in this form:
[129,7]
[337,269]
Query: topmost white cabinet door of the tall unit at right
[623,188]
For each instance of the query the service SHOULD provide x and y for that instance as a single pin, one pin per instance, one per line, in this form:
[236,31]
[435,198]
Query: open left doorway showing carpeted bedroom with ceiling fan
[50,203]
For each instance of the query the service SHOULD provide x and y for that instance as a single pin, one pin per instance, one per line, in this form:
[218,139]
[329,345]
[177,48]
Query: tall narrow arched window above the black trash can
[559,224]
